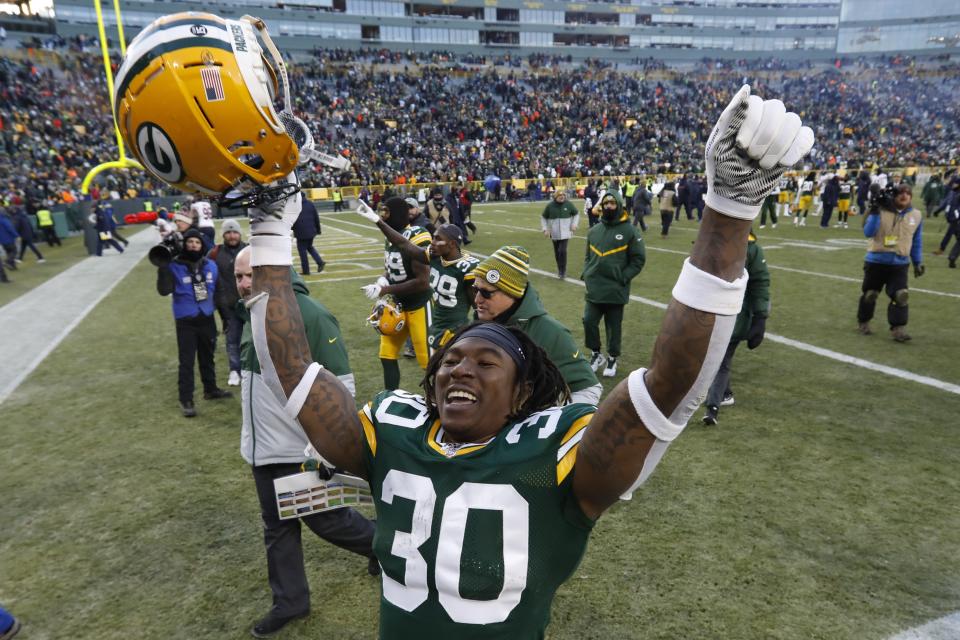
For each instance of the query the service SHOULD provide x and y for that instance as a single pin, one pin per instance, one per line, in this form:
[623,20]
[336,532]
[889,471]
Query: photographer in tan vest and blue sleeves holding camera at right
[895,230]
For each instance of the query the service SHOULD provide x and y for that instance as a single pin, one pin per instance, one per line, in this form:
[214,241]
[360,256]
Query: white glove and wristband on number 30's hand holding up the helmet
[270,225]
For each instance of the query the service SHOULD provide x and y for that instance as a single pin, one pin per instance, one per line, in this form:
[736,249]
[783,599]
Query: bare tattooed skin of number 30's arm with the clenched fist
[615,447]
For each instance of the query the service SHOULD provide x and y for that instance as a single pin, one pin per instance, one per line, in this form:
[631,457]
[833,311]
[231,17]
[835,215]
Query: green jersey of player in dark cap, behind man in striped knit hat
[450,283]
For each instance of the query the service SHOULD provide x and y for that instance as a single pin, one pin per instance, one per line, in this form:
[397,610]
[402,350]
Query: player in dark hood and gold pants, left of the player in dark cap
[409,282]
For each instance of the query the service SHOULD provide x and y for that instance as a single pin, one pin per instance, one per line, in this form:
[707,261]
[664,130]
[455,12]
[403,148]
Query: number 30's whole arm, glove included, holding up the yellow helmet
[316,397]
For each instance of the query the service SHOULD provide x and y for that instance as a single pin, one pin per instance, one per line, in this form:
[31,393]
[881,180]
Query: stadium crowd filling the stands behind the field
[438,117]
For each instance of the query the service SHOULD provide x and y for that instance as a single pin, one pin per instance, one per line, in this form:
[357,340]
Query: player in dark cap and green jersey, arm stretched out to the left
[451,277]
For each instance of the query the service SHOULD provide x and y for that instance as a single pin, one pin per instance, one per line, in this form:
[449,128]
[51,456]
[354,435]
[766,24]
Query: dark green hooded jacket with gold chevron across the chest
[615,255]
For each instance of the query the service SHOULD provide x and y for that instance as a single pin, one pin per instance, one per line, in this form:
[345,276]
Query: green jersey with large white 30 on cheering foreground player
[475,540]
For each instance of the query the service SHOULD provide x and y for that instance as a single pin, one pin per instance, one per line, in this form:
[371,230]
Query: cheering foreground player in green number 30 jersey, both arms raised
[486,487]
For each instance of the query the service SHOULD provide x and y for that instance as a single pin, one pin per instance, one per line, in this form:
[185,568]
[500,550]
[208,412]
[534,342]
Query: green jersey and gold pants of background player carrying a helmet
[416,307]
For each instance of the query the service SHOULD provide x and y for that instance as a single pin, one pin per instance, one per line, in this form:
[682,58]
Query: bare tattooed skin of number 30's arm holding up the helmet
[329,415]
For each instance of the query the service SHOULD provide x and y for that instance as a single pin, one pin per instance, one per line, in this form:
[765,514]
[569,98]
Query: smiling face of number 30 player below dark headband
[474,389]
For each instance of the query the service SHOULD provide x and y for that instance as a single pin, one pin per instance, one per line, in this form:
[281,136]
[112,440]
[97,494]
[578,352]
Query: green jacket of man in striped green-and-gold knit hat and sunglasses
[554,338]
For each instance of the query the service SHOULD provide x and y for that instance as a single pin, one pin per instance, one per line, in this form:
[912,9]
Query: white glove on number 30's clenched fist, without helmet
[750,147]
